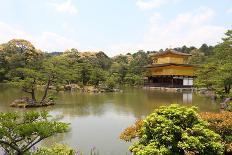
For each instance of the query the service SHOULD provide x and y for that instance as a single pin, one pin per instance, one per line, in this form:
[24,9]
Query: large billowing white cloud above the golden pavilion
[190,28]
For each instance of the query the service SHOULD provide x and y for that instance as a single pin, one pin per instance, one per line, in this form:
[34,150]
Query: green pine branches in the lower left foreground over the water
[21,131]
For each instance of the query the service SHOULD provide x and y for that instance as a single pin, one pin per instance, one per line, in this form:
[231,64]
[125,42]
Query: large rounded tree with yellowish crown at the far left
[18,53]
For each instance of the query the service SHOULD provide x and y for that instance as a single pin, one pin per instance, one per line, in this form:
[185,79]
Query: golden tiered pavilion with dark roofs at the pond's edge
[170,69]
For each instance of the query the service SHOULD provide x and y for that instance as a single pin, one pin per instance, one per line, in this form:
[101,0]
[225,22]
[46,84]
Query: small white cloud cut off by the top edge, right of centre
[150,4]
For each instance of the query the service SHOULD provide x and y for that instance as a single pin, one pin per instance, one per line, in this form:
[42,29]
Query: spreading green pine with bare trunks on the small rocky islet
[52,71]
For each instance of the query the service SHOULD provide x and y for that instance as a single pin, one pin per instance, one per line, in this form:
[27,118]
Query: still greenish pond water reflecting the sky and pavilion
[97,119]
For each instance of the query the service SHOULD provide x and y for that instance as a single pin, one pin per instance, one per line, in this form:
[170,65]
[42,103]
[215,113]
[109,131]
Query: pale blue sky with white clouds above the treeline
[115,26]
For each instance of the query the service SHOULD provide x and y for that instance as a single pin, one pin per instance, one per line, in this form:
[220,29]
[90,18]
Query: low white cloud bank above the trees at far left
[47,41]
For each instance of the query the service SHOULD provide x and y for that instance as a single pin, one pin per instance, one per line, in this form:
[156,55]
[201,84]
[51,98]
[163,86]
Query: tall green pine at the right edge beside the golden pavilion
[216,73]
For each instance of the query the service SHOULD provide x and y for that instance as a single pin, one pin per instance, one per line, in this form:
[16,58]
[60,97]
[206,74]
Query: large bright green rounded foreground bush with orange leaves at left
[173,130]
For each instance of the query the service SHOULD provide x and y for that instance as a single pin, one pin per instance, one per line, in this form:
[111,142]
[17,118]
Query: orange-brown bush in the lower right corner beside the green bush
[221,123]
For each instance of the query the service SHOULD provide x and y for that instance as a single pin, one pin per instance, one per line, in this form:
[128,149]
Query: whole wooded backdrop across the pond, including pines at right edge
[96,68]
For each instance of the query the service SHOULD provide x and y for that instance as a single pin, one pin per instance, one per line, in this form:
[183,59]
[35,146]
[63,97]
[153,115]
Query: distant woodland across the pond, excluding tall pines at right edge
[86,67]
